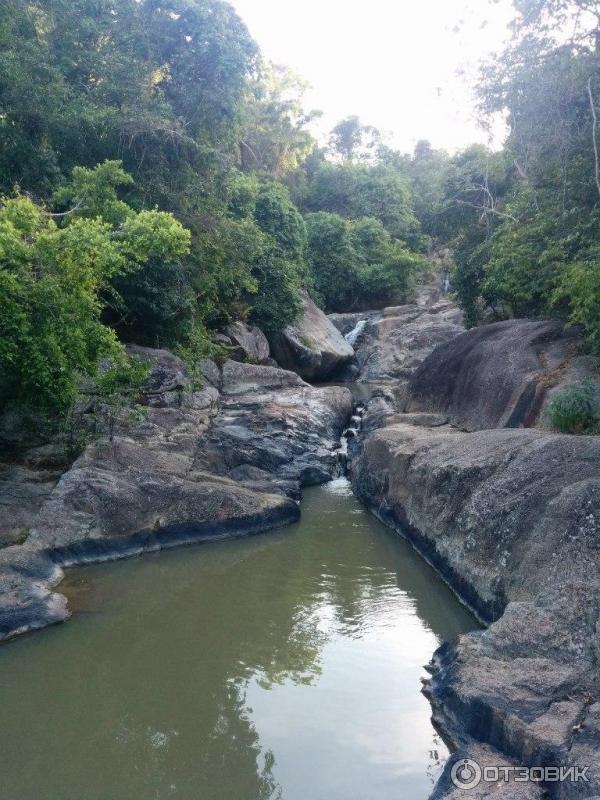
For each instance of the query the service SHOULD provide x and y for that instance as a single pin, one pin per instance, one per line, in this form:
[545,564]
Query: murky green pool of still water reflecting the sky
[284,666]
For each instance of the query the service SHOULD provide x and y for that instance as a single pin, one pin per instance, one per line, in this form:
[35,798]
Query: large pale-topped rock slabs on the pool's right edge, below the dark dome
[511,519]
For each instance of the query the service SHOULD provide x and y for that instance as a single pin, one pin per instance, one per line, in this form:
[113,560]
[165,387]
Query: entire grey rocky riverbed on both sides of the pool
[454,452]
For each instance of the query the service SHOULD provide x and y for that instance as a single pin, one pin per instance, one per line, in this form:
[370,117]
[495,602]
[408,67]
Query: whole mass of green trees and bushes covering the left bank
[142,146]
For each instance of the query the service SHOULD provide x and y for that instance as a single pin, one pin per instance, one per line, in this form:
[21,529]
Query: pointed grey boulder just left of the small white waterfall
[312,346]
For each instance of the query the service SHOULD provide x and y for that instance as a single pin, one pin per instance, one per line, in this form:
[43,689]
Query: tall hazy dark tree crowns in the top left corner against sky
[158,85]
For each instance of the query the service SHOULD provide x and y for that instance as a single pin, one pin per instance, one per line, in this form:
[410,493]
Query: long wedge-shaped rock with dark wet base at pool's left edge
[97,513]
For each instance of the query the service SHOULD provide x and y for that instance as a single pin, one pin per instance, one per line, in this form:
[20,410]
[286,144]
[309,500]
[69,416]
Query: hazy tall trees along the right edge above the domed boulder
[524,223]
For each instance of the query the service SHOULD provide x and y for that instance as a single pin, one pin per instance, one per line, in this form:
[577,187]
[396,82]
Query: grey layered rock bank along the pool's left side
[228,459]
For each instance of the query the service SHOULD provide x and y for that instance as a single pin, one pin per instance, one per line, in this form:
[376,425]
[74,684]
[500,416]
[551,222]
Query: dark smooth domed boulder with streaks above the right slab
[495,376]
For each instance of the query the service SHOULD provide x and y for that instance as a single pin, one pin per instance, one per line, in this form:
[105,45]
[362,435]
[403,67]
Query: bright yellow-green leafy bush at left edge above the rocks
[53,280]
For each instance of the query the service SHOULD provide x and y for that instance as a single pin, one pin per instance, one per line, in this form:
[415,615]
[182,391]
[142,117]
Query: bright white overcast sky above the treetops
[405,66]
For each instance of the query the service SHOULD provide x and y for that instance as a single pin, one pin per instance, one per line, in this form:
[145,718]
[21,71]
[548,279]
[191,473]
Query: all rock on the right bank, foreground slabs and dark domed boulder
[461,463]
